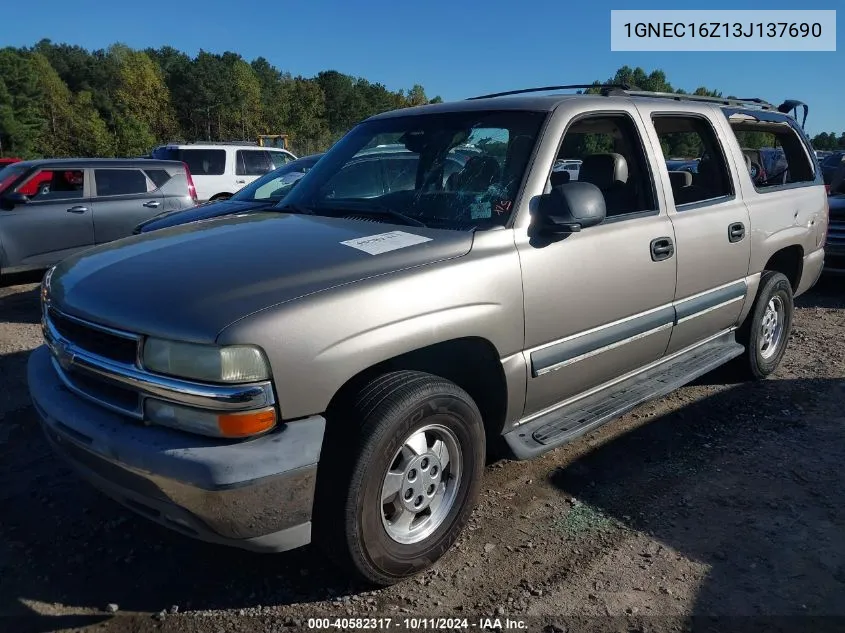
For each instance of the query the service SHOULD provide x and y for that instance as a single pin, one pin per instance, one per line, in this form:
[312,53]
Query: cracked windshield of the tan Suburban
[457,170]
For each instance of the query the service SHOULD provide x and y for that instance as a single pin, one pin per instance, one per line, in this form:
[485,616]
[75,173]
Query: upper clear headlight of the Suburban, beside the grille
[211,363]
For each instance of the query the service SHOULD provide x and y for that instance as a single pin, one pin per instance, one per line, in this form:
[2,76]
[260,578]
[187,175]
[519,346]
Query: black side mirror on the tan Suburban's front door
[570,207]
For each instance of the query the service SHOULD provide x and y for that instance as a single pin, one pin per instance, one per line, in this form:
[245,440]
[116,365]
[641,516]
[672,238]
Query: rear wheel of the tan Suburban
[766,340]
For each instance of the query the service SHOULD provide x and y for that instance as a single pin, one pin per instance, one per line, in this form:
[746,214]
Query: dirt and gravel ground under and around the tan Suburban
[720,500]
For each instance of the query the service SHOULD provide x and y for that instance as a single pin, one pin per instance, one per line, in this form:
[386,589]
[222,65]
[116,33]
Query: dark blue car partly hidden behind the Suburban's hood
[261,194]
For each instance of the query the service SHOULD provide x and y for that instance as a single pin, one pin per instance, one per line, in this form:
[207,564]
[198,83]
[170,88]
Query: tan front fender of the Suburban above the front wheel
[317,343]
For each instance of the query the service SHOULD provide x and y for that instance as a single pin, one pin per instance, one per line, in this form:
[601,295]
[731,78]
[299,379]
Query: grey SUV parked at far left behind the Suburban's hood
[78,203]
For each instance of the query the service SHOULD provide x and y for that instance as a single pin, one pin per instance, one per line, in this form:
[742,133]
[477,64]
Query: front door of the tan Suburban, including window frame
[598,303]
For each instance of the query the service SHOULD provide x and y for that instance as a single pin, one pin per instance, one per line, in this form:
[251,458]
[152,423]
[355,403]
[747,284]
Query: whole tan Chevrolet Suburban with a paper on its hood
[337,368]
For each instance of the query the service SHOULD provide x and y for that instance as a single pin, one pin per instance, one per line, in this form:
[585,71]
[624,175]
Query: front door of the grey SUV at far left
[55,223]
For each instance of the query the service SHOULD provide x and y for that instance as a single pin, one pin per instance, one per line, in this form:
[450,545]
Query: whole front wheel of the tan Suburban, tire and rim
[358,522]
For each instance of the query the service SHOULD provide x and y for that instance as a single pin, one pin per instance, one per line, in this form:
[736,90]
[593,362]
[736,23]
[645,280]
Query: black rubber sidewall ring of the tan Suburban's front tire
[386,559]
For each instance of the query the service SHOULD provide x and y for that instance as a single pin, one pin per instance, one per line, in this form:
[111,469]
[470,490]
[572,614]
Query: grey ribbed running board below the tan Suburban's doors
[562,425]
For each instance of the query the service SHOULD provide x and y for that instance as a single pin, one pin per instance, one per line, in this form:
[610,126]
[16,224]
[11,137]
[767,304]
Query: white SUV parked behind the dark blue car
[222,169]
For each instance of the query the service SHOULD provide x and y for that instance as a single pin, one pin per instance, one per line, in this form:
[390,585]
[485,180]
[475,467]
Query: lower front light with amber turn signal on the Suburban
[233,425]
